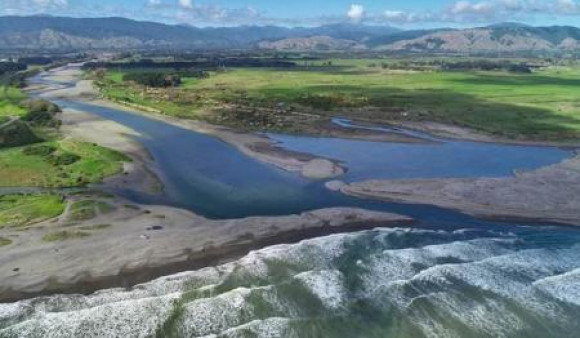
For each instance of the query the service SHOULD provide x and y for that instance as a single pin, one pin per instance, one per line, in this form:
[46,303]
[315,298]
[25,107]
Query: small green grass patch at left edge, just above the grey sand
[21,210]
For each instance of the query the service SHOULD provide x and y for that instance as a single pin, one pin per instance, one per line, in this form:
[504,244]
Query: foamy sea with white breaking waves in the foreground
[494,282]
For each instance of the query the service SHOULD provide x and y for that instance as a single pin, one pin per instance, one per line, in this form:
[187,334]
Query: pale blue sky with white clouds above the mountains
[407,14]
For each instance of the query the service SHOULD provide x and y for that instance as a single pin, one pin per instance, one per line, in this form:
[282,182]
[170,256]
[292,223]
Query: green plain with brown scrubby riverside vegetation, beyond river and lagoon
[531,100]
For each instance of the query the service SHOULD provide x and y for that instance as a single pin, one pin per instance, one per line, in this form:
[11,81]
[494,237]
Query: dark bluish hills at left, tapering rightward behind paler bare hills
[60,33]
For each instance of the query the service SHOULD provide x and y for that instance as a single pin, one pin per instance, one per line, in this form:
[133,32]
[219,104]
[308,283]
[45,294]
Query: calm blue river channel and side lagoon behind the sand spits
[210,177]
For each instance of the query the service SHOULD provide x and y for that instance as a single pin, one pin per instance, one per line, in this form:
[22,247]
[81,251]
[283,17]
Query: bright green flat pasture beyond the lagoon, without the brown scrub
[543,105]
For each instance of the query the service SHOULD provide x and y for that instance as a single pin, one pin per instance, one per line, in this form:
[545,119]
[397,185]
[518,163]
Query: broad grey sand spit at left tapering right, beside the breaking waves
[126,244]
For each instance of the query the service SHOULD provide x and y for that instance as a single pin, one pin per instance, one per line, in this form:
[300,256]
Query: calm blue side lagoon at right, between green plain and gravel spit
[439,158]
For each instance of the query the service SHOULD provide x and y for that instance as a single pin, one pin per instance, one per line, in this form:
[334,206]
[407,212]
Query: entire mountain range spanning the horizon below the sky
[78,34]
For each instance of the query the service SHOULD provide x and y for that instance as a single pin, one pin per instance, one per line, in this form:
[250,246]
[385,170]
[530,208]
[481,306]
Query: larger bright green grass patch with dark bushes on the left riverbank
[95,164]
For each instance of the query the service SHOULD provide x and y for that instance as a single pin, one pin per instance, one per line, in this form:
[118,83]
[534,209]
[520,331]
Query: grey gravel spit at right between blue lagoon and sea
[549,194]
